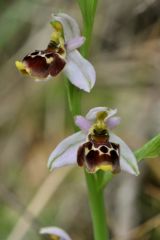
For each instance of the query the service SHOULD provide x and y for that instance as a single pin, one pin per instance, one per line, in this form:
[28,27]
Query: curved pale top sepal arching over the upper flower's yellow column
[70,26]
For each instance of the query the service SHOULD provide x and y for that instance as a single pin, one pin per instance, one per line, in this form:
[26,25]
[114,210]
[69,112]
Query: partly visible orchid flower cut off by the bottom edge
[54,233]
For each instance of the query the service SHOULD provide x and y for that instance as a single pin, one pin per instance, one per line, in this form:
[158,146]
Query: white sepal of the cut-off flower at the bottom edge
[55,231]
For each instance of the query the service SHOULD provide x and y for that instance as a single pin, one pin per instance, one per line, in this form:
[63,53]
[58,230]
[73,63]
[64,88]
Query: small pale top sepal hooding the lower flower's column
[92,114]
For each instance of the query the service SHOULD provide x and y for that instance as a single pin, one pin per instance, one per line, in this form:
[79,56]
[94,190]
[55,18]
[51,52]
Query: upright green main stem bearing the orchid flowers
[95,193]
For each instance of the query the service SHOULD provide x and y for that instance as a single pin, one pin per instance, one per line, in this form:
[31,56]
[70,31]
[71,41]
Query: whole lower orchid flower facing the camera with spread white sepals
[95,146]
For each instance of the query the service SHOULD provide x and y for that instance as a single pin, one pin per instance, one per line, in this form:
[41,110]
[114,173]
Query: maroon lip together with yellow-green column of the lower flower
[98,152]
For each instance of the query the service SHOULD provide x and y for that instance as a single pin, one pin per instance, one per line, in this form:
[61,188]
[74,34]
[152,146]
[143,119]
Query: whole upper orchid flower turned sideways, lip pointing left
[60,55]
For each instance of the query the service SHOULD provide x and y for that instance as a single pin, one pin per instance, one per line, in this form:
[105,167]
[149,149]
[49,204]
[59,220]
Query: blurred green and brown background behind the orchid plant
[126,54]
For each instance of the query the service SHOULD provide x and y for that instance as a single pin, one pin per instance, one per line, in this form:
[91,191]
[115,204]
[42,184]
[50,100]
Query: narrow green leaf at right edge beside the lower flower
[150,150]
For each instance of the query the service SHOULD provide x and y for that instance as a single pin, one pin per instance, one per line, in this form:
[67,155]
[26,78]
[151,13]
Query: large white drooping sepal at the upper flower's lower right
[79,71]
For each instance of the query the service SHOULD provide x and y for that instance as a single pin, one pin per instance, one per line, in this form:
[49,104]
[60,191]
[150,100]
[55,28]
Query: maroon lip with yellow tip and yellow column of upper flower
[43,64]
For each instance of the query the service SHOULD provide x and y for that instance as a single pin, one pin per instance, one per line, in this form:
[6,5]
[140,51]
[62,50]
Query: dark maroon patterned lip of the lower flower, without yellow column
[95,156]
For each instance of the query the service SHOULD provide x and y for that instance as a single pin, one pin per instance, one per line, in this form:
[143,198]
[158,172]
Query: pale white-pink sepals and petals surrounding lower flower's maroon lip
[66,151]
